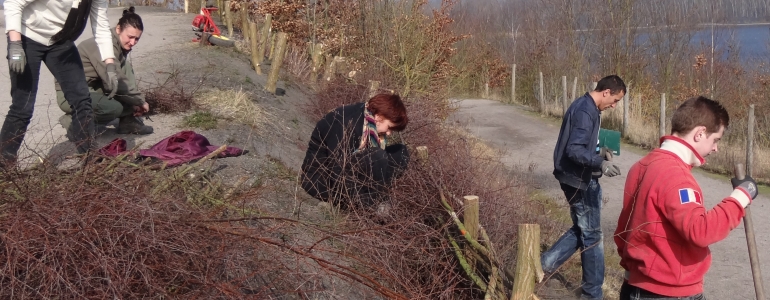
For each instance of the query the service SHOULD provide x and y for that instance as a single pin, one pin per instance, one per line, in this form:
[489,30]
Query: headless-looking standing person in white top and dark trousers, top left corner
[44,31]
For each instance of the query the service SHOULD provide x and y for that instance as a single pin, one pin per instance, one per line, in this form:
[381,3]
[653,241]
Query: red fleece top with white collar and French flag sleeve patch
[663,230]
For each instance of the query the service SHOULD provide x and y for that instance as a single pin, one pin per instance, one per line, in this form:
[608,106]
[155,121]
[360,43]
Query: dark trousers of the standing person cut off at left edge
[63,60]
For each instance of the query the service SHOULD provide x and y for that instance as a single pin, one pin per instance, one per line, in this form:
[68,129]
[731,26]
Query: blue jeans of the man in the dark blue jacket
[584,235]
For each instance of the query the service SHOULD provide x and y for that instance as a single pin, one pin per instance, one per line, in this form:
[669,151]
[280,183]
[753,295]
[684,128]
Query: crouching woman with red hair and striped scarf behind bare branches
[348,160]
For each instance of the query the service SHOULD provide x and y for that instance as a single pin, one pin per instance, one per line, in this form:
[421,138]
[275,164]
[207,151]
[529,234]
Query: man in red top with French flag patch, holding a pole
[664,230]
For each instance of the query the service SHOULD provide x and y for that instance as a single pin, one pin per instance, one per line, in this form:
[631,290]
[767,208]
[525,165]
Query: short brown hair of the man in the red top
[699,111]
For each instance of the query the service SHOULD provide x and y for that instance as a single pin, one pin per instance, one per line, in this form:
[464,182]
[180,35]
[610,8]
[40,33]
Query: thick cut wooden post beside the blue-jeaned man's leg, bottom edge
[528,268]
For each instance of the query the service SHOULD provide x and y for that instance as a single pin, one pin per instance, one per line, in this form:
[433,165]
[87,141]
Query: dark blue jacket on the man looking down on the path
[576,155]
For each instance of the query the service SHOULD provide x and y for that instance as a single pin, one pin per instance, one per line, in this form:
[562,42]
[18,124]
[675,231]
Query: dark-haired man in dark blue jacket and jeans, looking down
[578,164]
